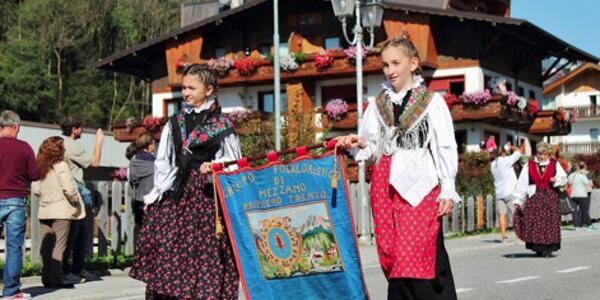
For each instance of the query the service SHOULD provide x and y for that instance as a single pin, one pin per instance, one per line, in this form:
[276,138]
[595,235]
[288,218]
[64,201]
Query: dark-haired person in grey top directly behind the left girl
[141,174]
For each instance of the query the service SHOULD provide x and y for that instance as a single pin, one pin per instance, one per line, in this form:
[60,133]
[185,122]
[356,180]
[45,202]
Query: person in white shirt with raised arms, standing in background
[505,181]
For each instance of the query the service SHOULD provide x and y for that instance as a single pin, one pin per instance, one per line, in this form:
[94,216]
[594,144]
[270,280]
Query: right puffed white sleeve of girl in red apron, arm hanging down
[443,148]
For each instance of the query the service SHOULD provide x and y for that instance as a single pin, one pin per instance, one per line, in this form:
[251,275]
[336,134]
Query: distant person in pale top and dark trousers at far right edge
[580,184]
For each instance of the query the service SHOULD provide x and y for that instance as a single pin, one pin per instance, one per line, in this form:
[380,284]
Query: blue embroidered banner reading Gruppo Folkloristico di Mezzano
[292,233]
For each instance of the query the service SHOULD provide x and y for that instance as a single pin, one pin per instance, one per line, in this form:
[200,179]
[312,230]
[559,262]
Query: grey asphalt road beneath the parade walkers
[483,269]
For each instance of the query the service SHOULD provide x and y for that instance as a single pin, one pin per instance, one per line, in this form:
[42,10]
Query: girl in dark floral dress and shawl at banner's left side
[183,249]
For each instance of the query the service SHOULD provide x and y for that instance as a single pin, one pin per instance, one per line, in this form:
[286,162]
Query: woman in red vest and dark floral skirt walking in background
[537,222]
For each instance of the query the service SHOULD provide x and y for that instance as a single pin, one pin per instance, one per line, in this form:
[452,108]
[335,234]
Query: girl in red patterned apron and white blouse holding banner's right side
[409,135]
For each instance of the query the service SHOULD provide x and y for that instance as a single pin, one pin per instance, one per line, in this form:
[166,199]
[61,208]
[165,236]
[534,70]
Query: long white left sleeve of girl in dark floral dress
[165,170]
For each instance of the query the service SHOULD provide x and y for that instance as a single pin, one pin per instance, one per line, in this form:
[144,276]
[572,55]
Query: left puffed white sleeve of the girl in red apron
[371,132]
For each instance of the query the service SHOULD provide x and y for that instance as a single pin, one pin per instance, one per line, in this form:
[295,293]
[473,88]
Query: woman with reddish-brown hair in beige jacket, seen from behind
[59,204]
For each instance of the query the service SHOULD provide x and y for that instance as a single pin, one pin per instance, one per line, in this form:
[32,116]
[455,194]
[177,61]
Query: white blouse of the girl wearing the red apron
[416,171]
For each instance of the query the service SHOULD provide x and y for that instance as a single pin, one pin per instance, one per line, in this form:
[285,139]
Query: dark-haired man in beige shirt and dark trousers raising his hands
[78,159]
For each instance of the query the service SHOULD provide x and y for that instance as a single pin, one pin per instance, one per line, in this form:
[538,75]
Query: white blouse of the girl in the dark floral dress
[165,169]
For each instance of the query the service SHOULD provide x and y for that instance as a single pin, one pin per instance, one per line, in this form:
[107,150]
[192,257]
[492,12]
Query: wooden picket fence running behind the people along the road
[111,218]
